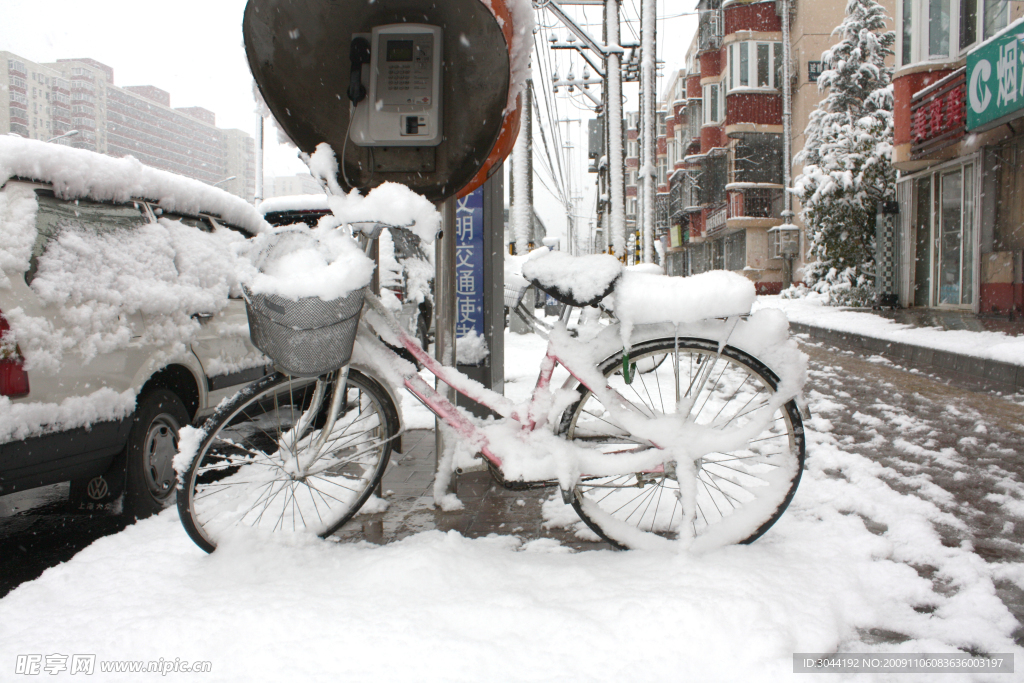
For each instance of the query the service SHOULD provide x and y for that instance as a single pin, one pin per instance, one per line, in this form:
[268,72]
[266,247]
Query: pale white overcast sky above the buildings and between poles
[193,50]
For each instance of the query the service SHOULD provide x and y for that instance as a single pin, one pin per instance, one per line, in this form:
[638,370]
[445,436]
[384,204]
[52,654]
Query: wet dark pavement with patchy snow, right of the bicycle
[953,442]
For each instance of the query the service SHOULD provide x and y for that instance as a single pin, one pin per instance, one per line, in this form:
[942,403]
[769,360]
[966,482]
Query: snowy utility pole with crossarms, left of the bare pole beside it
[615,119]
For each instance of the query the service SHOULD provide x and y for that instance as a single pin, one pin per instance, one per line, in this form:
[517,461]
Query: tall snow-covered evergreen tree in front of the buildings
[847,156]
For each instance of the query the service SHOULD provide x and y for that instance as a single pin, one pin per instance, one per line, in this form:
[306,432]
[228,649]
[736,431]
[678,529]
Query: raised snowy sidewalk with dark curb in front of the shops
[917,341]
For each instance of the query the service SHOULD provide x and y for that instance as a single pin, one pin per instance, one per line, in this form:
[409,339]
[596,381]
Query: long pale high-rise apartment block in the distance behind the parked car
[49,101]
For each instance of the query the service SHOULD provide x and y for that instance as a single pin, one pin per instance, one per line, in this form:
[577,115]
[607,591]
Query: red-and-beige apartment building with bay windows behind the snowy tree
[720,144]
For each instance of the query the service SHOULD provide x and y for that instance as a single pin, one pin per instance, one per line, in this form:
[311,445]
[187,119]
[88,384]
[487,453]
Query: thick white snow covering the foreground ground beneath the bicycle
[843,571]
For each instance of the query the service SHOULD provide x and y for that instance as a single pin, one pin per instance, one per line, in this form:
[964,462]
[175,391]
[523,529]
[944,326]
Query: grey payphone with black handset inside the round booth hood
[404,103]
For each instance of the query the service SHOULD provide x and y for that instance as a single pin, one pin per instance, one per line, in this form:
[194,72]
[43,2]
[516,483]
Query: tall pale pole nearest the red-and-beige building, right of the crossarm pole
[649,97]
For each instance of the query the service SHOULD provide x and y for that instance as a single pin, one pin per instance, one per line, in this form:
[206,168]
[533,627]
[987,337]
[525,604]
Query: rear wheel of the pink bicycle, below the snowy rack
[734,496]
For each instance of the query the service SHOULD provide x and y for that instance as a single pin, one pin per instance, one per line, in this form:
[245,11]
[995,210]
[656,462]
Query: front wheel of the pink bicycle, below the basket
[264,463]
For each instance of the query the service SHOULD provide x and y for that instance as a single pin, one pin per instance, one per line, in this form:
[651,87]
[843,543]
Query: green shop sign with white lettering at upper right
[996,80]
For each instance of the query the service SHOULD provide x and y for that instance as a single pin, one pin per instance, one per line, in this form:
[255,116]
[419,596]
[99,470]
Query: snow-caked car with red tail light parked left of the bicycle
[121,318]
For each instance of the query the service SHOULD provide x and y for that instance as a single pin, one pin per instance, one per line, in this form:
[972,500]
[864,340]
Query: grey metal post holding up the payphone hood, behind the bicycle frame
[445,311]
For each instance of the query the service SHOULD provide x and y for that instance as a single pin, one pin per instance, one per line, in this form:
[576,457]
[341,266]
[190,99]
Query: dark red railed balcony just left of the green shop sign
[938,115]
